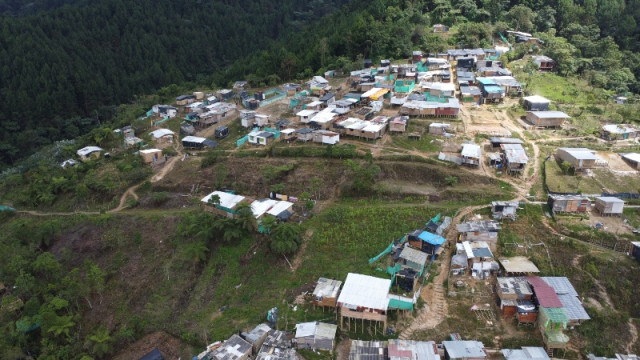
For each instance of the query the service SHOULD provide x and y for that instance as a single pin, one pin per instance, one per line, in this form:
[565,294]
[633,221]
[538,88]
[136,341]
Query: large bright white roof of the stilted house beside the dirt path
[365,291]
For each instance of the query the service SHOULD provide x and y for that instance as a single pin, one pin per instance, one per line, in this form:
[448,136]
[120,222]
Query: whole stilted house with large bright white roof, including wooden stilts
[364,297]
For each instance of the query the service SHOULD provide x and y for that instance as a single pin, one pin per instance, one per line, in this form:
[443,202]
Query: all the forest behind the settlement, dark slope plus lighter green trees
[63,70]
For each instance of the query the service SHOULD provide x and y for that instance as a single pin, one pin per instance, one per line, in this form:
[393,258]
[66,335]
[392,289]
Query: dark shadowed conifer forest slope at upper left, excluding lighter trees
[63,70]
